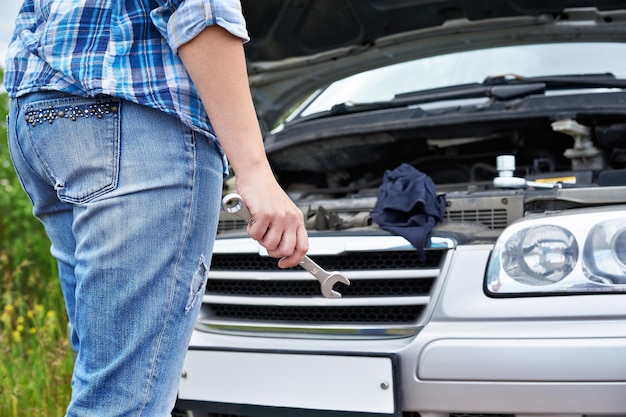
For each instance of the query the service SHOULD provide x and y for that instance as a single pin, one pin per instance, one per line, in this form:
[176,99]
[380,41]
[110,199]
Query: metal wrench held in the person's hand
[233,203]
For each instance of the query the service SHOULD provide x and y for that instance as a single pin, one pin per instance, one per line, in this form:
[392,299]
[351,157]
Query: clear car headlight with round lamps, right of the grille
[575,252]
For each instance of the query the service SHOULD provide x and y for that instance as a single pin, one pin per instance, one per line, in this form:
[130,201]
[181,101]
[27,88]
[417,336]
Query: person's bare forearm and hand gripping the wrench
[216,63]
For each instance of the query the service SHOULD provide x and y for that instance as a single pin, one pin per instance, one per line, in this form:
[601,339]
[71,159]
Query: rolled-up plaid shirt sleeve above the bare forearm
[179,21]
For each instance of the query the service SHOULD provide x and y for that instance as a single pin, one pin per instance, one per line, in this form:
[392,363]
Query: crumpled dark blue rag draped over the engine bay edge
[408,205]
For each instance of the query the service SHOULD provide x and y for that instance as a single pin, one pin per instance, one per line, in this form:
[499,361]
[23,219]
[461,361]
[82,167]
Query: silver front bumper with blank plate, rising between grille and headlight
[557,356]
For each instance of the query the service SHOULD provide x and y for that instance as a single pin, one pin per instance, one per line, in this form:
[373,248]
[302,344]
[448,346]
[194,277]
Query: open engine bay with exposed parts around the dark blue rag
[559,163]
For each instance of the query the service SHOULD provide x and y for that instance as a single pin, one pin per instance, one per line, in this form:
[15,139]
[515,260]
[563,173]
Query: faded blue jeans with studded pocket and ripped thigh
[130,200]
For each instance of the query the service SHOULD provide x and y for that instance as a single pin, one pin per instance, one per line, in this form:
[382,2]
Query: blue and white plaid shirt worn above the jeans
[124,48]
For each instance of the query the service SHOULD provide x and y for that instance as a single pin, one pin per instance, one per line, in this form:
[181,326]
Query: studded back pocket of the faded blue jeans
[76,142]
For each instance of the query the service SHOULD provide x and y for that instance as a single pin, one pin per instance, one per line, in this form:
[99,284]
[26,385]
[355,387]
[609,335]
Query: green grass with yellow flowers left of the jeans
[36,364]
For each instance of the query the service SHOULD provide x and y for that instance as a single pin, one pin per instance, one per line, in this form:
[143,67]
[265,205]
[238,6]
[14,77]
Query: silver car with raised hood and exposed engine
[509,299]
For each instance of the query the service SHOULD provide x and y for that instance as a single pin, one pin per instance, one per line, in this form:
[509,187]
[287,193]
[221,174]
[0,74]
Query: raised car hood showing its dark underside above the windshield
[299,46]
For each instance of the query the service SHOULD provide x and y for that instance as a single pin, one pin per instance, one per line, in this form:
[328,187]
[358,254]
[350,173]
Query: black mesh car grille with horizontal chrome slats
[388,293]
